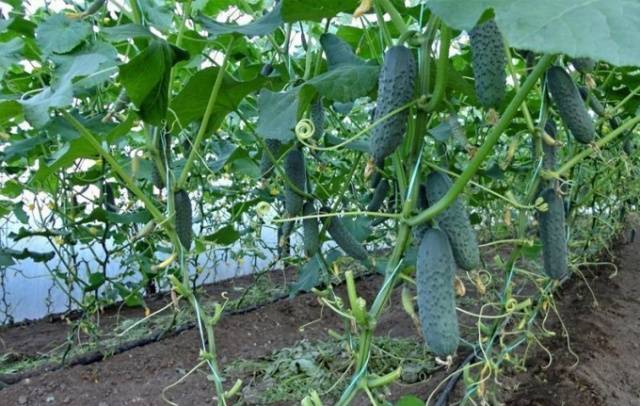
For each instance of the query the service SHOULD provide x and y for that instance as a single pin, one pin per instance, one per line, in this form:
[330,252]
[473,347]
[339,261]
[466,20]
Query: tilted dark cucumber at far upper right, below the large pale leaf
[570,105]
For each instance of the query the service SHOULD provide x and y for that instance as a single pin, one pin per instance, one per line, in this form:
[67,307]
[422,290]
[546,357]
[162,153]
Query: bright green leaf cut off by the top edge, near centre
[315,10]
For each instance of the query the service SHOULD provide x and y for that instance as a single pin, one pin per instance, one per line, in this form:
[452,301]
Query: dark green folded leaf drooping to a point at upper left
[146,79]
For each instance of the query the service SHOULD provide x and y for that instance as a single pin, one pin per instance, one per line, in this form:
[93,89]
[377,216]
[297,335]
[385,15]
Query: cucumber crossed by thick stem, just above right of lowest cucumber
[455,222]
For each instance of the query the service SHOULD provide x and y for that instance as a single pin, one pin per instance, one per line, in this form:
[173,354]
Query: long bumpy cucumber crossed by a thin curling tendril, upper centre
[395,89]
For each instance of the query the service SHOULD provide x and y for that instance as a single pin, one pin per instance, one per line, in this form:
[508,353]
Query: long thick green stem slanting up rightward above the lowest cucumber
[487,147]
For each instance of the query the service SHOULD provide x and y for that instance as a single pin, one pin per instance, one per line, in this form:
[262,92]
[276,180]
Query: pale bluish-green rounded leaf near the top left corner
[59,34]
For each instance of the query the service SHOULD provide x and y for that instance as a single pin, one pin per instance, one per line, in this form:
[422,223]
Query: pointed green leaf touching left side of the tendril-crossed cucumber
[346,82]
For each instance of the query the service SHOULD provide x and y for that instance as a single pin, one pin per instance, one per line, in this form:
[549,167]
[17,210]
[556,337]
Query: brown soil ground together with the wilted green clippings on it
[283,348]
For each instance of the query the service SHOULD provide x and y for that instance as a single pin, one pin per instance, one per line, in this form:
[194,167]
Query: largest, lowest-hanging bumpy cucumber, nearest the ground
[435,270]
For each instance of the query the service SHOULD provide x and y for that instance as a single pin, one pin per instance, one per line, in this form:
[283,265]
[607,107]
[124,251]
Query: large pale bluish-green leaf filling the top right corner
[605,30]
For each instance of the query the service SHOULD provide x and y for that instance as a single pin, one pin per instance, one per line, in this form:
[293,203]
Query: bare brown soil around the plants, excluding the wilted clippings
[604,337]
